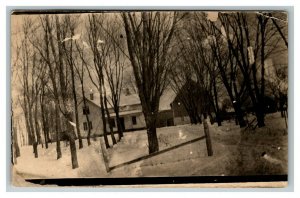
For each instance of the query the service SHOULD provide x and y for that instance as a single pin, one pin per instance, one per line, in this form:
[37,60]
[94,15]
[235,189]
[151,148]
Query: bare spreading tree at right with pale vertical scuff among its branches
[252,38]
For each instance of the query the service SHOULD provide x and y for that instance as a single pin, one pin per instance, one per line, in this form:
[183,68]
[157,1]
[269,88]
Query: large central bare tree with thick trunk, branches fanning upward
[149,36]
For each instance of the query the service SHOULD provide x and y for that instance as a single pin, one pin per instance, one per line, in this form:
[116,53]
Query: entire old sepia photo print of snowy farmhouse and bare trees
[160,95]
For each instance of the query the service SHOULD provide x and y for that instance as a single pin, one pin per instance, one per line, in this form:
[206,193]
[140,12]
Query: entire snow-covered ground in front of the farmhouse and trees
[236,152]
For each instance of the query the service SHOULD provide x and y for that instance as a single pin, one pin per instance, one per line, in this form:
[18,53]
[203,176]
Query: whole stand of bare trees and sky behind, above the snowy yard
[212,55]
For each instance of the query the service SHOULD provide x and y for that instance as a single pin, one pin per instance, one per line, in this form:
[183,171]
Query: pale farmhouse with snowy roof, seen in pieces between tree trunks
[131,114]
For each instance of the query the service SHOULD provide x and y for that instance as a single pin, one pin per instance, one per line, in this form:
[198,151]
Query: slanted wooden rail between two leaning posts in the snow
[156,153]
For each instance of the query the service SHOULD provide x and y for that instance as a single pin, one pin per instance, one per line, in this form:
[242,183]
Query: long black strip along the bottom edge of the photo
[158,180]
